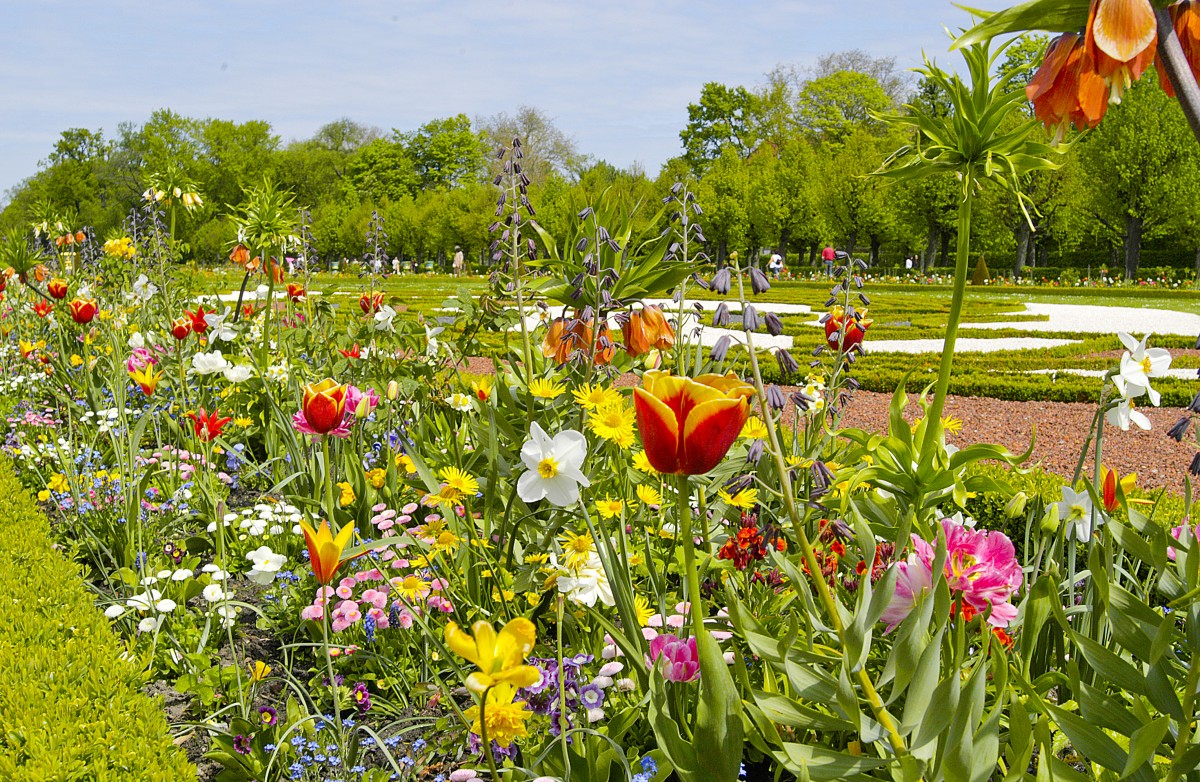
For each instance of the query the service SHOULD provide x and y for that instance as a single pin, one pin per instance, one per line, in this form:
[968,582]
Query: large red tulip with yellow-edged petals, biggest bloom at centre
[688,425]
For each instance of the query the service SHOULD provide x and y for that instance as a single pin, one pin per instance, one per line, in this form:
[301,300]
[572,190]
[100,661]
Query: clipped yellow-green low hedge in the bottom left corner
[70,707]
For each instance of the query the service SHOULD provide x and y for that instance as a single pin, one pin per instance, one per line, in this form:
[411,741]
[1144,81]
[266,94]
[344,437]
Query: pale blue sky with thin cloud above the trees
[617,76]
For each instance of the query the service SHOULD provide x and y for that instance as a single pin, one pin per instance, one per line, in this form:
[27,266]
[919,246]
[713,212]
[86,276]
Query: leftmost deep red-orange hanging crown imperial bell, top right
[1067,89]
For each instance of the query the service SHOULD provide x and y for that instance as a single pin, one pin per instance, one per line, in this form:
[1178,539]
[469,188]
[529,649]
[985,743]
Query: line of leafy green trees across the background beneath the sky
[779,166]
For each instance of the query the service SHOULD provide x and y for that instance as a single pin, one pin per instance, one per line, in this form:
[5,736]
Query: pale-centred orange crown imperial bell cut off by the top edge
[1121,37]
